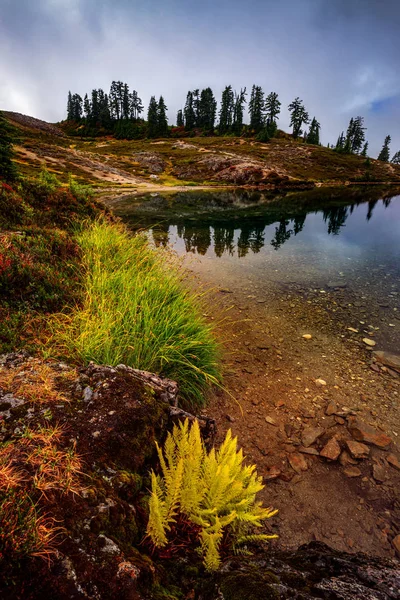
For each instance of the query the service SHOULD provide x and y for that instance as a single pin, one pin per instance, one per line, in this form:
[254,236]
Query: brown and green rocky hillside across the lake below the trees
[203,161]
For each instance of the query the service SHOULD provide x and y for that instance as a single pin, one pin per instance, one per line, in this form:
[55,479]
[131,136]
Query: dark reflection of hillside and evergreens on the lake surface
[237,222]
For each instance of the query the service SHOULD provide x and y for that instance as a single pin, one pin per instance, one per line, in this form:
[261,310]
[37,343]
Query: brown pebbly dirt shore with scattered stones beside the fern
[275,401]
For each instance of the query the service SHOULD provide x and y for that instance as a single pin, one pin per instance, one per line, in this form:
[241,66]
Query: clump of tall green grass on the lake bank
[136,311]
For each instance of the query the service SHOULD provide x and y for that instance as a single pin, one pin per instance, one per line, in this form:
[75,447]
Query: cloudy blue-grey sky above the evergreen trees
[341,57]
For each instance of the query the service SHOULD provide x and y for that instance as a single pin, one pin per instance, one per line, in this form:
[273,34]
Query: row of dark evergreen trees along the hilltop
[121,113]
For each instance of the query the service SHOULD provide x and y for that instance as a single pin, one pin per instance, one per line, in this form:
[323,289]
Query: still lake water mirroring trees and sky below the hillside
[344,243]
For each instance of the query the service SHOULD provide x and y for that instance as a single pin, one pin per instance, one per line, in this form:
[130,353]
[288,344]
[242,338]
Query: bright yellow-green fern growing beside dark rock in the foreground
[212,490]
